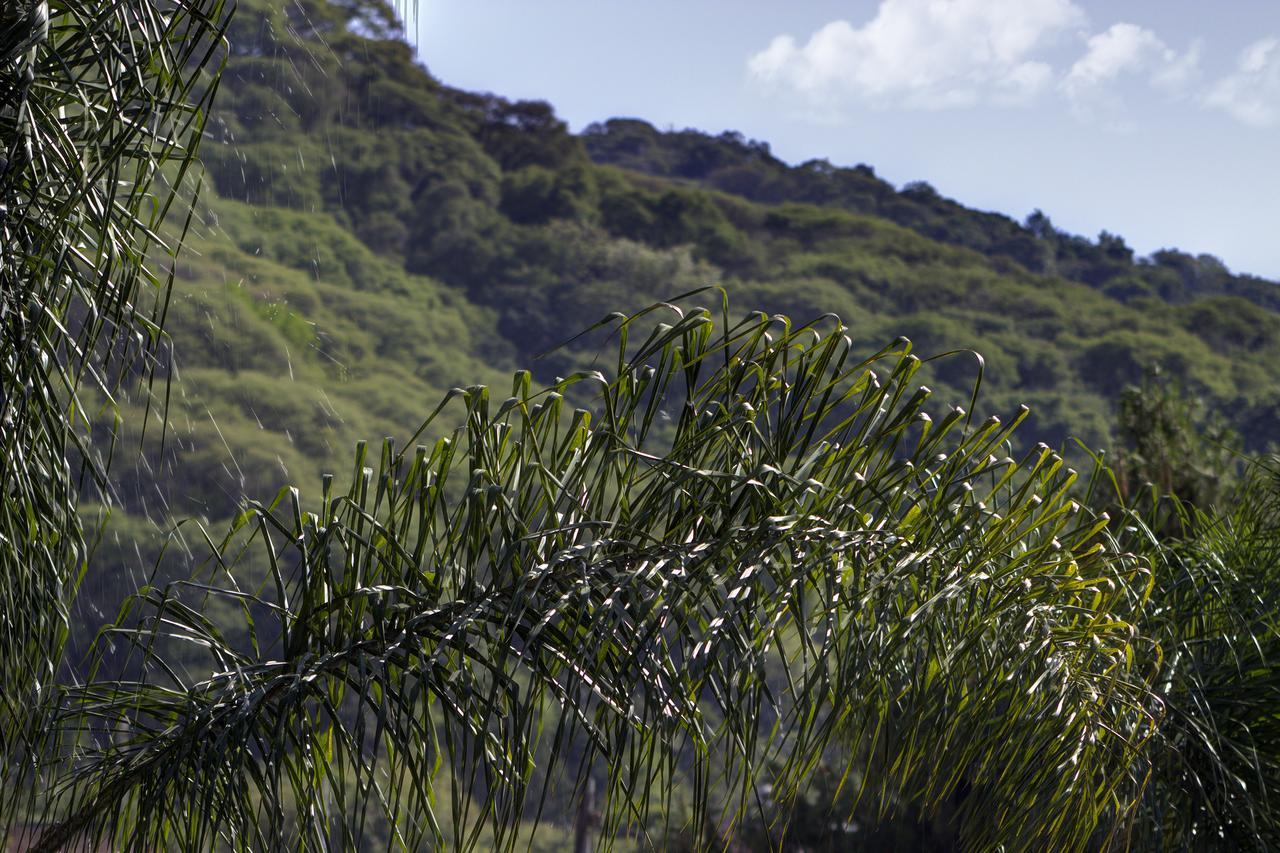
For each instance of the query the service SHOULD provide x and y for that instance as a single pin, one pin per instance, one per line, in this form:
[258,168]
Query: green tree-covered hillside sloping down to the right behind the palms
[374,238]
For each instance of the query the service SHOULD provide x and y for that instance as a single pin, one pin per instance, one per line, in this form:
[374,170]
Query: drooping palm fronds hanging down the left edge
[100,115]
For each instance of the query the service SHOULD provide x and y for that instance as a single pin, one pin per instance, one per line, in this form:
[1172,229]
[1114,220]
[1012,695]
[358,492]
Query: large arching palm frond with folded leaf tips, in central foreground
[753,549]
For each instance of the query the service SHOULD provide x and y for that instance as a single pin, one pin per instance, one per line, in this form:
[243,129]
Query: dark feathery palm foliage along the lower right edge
[1215,767]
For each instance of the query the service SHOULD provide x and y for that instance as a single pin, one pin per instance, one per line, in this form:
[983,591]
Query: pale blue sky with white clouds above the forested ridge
[1159,121]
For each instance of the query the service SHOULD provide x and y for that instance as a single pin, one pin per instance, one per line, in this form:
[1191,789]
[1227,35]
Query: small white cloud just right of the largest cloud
[1127,49]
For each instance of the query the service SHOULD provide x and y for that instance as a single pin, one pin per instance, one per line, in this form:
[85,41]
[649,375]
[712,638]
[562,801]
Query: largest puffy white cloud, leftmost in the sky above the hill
[929,54]
